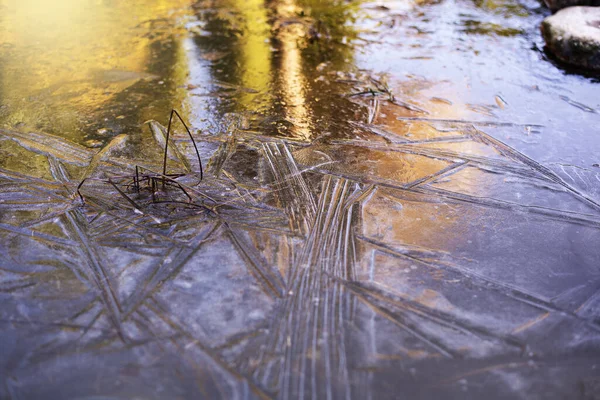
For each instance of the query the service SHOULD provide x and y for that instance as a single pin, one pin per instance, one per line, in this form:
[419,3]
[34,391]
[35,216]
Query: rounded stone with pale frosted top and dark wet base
[573,36]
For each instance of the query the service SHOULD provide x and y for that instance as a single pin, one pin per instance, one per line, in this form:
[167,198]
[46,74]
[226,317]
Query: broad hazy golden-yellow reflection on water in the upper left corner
[67,56]
